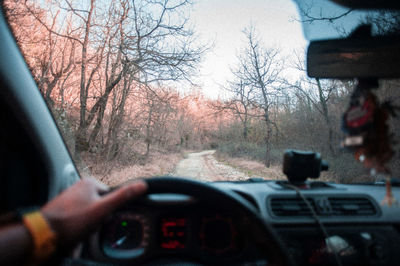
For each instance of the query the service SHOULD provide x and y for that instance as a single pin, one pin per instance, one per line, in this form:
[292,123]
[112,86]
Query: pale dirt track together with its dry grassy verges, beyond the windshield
[206,165]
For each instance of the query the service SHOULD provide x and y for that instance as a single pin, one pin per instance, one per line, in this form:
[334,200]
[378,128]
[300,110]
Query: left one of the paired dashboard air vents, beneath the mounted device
[290,207]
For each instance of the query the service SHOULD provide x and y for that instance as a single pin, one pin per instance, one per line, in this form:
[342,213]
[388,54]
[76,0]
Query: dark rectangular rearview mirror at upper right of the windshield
[371,57]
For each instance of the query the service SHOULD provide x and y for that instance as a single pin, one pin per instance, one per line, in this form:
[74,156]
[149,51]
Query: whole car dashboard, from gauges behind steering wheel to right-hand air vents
[347,223]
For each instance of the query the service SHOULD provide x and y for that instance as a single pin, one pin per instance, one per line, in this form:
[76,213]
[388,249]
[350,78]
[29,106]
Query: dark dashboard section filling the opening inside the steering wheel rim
[172,226]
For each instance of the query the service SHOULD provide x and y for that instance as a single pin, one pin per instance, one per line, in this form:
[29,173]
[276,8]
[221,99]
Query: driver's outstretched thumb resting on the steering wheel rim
[114,199]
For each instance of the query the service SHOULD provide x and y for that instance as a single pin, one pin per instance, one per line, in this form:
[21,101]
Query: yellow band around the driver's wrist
[43,237]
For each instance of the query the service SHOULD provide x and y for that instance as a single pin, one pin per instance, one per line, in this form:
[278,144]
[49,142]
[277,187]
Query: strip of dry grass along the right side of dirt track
[252,168]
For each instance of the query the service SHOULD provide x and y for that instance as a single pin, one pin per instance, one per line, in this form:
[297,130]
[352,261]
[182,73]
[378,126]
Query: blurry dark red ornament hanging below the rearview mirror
[365,124]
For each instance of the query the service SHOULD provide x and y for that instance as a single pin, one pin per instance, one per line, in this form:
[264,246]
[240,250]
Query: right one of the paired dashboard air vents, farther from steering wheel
[352,206]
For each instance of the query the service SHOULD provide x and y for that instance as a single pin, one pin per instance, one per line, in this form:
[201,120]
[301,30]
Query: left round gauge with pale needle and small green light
[125,235]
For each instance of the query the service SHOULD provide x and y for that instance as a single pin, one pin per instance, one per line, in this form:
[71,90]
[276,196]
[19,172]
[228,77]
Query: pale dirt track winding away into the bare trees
[203,166]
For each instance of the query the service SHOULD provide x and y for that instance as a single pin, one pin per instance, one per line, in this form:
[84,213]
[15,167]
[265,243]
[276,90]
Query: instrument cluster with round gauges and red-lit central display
[139,233]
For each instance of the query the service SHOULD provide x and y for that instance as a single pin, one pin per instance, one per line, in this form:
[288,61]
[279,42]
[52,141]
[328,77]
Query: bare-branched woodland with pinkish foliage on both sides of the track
[119,79]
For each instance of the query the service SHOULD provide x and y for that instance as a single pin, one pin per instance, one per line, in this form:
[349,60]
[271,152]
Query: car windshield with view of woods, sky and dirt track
[212,89]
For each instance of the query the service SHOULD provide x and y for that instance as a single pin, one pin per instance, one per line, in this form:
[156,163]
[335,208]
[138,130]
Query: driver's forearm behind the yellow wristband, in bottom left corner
[15,244]
